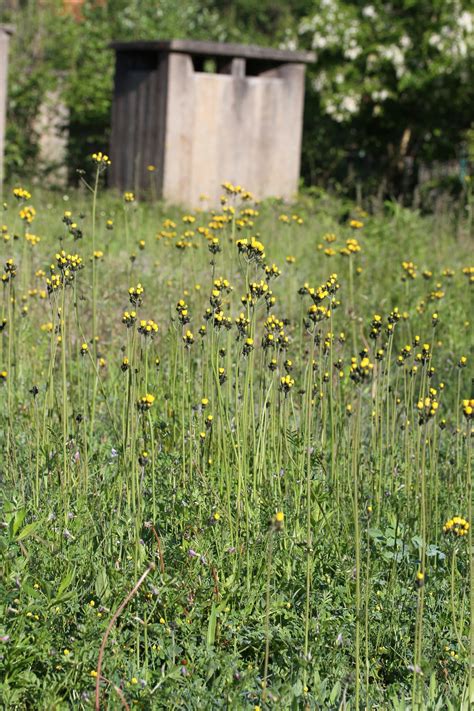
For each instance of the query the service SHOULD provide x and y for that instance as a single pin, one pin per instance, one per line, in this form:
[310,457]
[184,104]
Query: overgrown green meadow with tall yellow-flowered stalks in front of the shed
[247,433]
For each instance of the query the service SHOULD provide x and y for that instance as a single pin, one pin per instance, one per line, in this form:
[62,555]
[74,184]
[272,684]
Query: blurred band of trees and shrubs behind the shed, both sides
[391,89]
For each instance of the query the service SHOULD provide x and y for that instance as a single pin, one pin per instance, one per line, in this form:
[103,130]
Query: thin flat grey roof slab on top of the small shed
[223,49]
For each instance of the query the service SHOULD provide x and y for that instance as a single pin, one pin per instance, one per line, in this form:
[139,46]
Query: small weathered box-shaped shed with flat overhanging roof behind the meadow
[203,113]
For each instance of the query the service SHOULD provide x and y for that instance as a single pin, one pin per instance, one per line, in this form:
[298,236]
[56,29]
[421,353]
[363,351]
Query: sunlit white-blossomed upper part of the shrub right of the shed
[373,52]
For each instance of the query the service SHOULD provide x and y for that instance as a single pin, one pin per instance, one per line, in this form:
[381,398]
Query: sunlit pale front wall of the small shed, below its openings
[245,129]
